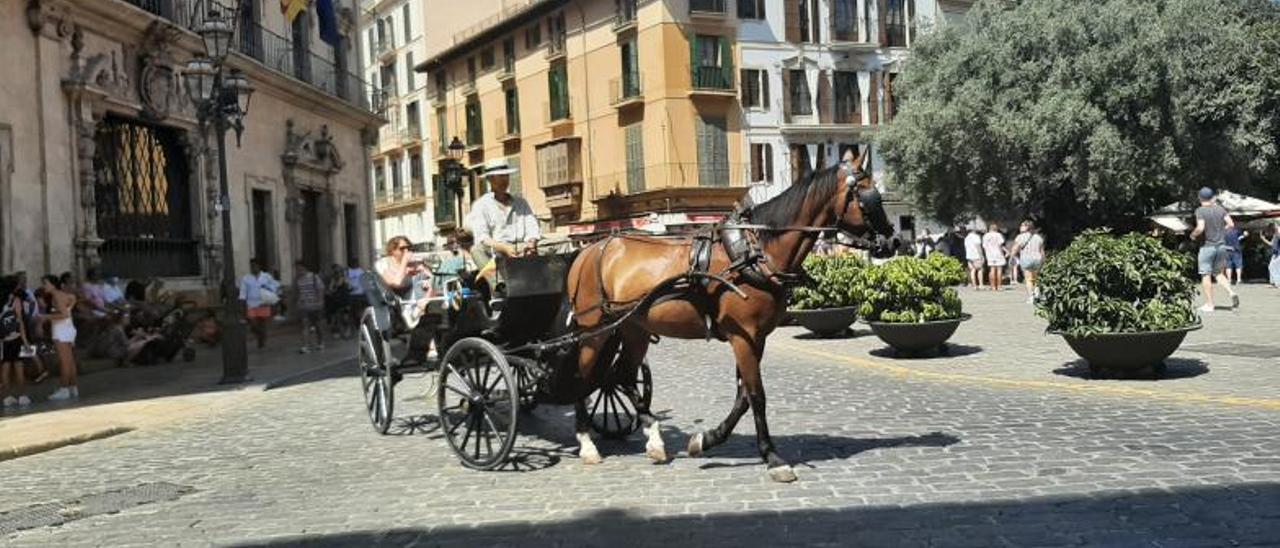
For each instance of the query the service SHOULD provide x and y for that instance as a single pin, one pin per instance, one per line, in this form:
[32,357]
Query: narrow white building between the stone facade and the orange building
[394,36]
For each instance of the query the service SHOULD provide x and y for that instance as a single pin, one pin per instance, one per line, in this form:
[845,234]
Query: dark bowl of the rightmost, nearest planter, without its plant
[1128,354]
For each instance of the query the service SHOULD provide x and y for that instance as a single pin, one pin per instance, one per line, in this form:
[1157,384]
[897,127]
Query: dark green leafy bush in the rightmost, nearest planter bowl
[1104,284]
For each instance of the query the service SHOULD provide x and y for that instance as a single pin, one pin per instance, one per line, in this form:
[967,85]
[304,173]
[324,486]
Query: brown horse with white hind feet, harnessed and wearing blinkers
[618,273]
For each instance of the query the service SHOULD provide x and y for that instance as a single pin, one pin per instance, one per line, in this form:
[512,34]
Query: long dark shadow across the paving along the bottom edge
[1183,517]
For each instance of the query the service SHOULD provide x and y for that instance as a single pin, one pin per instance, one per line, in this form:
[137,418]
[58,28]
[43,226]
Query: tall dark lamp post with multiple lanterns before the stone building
[222,99]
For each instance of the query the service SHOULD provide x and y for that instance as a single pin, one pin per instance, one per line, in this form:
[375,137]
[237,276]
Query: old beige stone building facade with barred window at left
[103,162]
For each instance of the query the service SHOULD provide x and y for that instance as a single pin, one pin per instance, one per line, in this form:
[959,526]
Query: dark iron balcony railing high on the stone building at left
[272,51]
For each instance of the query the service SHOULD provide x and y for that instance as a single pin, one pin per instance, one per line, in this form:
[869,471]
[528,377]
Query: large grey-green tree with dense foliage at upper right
[1089,113]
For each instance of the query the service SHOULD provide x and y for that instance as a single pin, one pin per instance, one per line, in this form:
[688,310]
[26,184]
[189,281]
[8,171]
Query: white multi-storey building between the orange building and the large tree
[817,79]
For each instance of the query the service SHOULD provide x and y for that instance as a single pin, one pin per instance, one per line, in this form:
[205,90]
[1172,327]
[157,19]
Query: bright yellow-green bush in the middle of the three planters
[909,290]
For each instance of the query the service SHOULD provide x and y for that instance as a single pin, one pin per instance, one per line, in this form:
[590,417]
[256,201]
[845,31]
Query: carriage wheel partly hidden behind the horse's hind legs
[612,405]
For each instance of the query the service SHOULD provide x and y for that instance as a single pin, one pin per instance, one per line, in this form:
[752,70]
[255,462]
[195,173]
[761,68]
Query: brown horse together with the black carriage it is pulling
[577,328]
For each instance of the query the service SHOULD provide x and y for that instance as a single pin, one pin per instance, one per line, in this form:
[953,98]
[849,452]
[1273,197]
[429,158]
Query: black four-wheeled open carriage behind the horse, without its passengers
[497,358]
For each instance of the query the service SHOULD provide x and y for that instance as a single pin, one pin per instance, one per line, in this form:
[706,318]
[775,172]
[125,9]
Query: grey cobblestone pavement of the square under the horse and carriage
[989,447]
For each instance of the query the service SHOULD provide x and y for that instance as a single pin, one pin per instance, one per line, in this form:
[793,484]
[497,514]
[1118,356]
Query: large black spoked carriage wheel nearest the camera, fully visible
[479,400]
